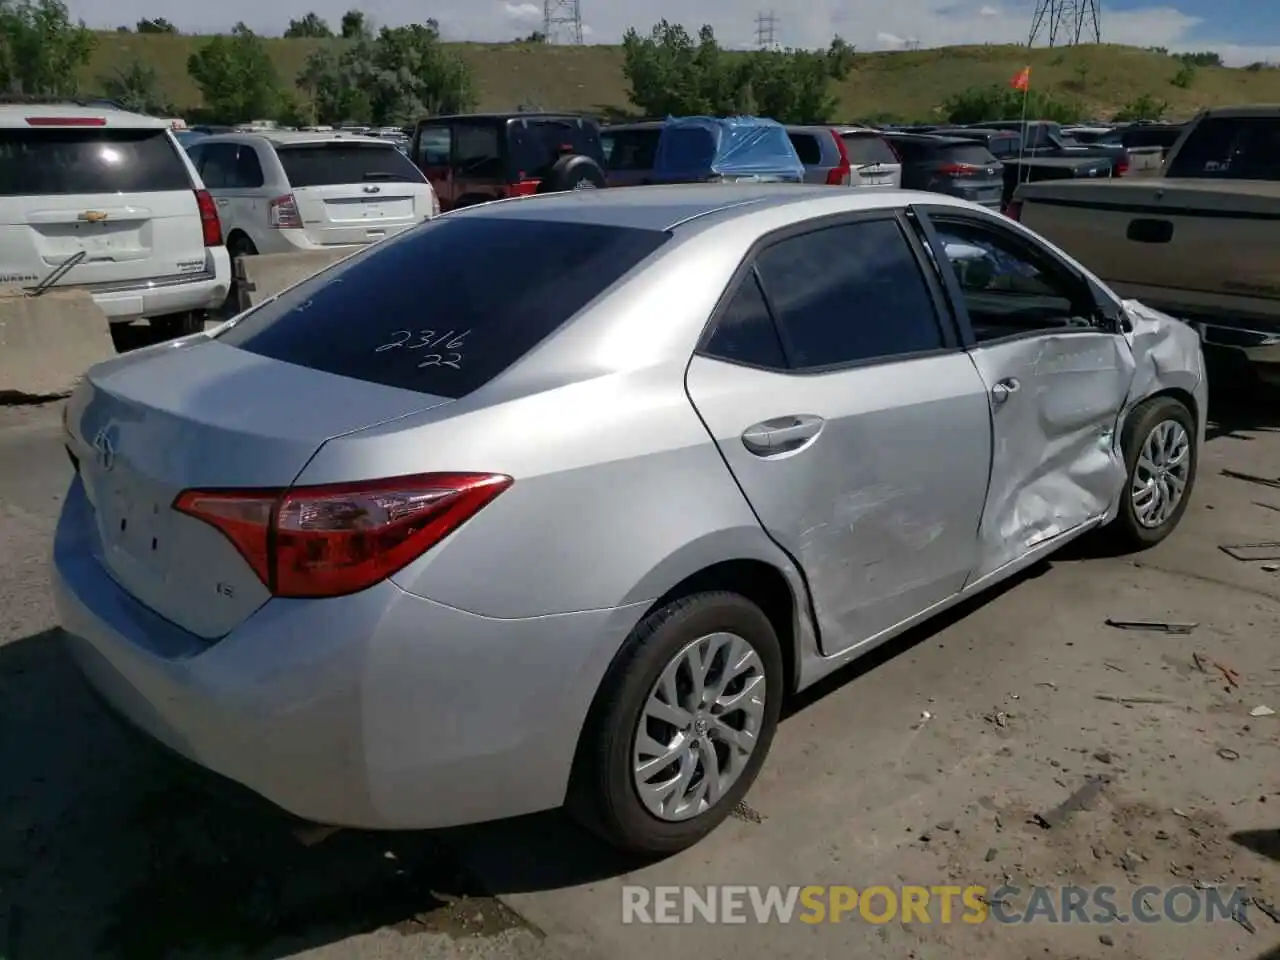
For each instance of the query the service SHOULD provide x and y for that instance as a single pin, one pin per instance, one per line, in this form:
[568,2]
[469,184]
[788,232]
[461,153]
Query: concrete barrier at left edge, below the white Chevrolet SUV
[48,342]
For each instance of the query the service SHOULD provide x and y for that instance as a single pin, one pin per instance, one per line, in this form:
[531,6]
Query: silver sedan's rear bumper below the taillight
[374,711]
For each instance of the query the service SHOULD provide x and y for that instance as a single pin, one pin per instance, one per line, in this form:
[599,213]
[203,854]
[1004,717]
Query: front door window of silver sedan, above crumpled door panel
[1008,289]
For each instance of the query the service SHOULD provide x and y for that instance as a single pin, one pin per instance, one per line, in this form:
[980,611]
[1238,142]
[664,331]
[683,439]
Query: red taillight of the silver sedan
[314,542]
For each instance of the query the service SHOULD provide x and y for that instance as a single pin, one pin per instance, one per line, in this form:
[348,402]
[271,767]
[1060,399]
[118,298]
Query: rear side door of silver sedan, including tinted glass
[852,420]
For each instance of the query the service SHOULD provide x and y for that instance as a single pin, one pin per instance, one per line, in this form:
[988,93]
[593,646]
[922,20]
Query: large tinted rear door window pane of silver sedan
[849,294]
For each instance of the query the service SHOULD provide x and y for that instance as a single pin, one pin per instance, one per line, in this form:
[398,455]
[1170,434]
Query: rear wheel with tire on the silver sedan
[682,725]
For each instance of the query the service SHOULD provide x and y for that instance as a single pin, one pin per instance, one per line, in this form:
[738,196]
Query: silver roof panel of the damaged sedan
[666,208]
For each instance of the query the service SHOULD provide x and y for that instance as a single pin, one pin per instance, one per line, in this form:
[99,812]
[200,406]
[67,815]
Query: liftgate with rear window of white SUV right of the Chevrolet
[354,193]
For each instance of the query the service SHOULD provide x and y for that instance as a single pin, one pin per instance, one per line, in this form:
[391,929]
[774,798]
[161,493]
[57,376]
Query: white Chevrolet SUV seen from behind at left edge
[107,202]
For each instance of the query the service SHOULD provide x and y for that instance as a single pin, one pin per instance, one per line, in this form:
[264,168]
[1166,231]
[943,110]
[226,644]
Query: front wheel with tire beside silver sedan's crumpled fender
[1162,454]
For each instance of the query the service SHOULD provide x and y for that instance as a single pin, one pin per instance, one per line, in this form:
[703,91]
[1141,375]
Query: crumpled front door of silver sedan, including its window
[1058,372]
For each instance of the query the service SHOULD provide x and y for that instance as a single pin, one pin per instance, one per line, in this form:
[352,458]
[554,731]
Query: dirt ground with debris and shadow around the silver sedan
[943,758]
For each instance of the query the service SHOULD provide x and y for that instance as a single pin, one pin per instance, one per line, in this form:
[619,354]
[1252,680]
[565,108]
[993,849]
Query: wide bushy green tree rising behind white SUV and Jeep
[400,76]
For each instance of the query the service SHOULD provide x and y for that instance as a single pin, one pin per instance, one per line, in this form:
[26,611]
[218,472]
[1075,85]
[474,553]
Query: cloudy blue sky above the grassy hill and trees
[1242,31]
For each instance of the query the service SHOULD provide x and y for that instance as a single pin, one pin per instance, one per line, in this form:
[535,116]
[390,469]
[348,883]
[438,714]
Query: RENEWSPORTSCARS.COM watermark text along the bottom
[931,906]
